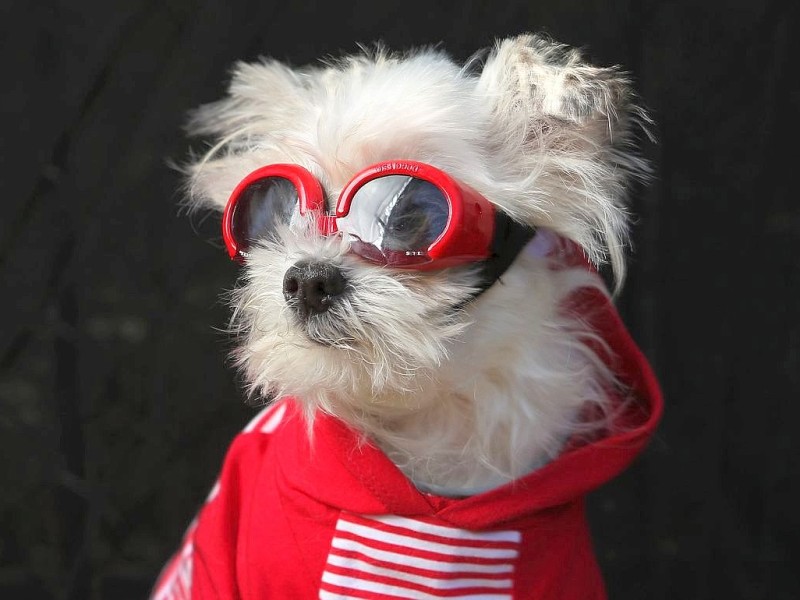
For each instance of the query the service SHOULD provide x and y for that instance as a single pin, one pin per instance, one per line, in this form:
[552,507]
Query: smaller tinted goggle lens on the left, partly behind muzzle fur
[263,206]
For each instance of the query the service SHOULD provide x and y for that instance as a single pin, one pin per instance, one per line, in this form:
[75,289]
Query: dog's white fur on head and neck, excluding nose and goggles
[462,395]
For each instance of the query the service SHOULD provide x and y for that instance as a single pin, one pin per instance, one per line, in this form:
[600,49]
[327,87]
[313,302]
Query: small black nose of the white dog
[311,287]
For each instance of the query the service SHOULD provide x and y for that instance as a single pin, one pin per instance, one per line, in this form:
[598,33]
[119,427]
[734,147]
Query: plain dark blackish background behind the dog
[116,403]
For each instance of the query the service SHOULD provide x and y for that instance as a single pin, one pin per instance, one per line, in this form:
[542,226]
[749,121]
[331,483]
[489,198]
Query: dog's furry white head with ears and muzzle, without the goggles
[534,130]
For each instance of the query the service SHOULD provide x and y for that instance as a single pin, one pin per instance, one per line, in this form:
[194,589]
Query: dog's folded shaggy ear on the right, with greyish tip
[570,124]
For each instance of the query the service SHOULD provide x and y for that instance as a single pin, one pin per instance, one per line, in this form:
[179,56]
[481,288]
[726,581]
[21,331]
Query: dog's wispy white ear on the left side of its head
[263,97]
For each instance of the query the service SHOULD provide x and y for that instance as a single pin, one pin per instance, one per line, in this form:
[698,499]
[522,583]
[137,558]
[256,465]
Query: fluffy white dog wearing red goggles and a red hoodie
[421,311]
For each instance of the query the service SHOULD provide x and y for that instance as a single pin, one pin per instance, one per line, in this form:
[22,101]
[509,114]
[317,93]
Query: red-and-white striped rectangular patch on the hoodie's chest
[397,557]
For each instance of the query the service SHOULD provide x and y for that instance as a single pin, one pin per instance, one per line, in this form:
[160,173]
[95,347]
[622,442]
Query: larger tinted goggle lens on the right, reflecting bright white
[399,216]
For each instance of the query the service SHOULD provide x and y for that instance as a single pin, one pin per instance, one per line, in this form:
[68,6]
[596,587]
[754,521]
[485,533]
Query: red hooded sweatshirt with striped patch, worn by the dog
[339,520]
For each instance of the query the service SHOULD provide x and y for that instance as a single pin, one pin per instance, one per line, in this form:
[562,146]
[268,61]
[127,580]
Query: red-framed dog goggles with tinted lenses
[401,214]
